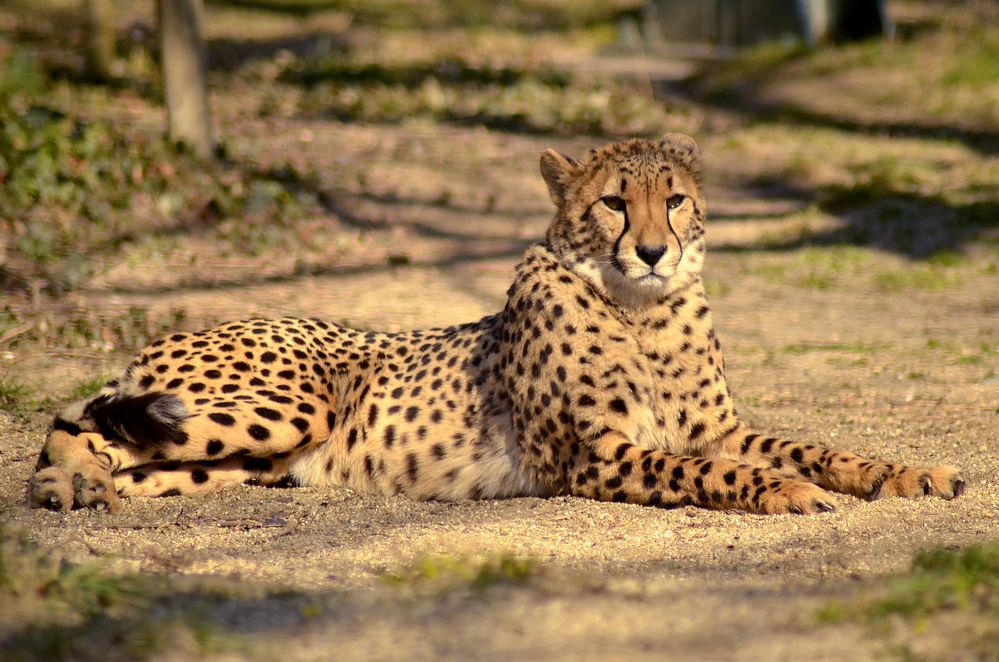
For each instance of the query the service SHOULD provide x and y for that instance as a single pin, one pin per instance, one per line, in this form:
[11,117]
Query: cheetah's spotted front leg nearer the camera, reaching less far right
[611,468]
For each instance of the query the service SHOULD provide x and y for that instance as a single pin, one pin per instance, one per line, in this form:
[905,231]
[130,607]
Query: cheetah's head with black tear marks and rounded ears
[630,216]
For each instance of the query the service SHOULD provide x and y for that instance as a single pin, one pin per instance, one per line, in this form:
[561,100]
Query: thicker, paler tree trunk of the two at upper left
[182,53]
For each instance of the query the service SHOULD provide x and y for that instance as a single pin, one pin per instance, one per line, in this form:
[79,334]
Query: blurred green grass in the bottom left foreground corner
[58,610]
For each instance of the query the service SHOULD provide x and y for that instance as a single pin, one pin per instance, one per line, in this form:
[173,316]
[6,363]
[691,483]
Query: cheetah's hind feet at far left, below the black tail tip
[69,474]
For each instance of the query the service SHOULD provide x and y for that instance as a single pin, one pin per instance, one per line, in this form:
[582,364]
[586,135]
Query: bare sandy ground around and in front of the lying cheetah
[848,343]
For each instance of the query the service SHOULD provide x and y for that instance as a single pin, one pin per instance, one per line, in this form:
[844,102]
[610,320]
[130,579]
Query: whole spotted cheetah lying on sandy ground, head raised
[602,378]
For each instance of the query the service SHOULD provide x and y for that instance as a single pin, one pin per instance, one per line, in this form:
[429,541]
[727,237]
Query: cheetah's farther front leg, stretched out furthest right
[843,471]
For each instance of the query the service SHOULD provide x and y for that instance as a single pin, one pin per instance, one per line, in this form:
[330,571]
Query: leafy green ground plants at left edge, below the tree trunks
[75,187]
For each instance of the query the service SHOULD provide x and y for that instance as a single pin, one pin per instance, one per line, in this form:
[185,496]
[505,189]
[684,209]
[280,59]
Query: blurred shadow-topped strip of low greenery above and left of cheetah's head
[524,98]
